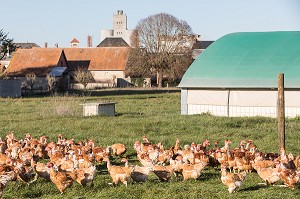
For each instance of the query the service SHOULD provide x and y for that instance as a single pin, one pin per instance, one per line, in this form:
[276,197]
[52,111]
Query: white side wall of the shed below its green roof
[237,103]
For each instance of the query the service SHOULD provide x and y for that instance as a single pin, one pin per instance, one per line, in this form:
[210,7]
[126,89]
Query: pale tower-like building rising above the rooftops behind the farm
[119,28]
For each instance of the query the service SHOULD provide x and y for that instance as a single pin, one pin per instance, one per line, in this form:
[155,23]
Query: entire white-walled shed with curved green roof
[237,75]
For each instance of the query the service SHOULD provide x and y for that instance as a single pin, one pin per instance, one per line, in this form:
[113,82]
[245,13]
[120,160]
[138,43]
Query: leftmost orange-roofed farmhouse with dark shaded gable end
[40,62]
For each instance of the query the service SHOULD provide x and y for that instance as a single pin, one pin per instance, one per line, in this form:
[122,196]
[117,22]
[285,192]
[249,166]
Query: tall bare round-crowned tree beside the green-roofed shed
[163,47]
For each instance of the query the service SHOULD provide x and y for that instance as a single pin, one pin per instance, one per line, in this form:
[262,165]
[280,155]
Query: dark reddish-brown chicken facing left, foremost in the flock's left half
[61,179]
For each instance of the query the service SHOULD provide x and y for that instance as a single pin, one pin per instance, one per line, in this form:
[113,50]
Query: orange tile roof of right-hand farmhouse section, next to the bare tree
[106,58]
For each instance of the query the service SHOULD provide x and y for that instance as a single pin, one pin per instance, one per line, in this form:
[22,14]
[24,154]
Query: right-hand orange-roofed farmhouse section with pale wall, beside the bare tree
[107,64]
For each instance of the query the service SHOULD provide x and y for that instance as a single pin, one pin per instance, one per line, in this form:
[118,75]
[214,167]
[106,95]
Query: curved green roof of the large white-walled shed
[247,60]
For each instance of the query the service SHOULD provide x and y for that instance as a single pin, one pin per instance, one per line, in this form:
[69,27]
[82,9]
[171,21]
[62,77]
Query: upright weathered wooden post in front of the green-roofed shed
[280,111]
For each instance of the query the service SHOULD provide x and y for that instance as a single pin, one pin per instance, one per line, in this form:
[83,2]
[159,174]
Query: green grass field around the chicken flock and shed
[154,113]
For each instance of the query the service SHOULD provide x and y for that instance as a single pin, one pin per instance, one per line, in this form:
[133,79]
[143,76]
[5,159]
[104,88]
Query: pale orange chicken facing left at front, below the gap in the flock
[118,173]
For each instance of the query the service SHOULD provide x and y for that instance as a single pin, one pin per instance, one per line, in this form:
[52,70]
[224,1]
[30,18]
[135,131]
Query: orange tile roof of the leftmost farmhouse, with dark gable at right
[38,60]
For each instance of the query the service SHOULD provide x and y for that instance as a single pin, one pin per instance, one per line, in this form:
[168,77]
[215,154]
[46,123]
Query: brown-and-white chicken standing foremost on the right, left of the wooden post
[232,180]
